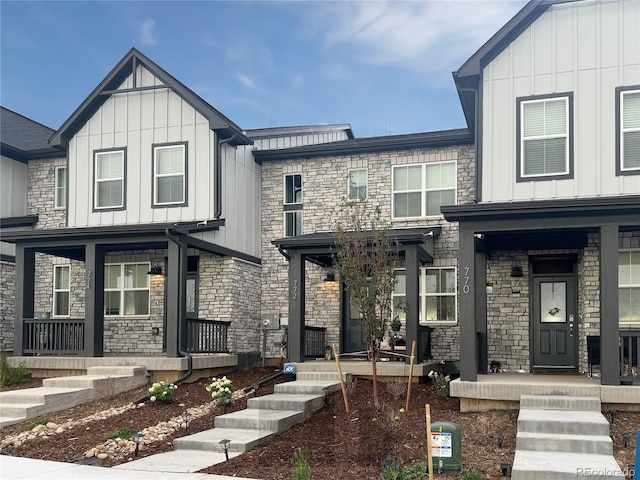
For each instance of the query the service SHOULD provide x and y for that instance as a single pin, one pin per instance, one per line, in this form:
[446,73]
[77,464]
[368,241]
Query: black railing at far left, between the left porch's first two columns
[53,336]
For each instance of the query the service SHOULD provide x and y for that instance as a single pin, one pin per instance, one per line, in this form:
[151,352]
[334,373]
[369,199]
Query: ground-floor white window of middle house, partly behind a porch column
[438,299]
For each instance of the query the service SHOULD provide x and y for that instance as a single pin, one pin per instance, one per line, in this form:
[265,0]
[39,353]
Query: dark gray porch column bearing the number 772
[295,340]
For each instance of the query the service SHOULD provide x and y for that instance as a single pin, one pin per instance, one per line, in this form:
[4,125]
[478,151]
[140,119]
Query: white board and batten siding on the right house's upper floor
[588,48]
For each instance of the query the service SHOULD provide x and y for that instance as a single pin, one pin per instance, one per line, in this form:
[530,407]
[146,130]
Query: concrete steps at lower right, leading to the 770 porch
[563,437]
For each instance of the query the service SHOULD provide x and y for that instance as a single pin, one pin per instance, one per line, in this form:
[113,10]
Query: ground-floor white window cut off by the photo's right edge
[629,285]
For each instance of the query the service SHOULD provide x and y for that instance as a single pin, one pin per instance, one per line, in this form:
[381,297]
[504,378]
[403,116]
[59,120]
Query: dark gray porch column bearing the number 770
[467,295]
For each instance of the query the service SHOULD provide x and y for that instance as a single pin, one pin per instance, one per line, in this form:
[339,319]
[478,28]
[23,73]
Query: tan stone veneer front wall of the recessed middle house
[324,183]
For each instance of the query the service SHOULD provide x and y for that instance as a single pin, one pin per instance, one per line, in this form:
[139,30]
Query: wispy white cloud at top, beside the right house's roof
[432,37]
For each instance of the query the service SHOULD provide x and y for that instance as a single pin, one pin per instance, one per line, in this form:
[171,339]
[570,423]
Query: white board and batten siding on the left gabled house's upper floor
[136,121]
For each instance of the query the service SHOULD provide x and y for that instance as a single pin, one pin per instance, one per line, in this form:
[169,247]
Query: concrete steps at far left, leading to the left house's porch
[66,392]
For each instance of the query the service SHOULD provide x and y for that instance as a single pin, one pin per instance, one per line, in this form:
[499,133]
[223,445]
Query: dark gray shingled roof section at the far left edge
[22,138]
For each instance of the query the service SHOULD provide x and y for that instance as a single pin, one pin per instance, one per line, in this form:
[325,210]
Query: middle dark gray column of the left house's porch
[94,301]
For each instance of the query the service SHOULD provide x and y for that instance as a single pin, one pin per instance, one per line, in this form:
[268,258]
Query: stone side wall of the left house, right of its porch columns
[230,291]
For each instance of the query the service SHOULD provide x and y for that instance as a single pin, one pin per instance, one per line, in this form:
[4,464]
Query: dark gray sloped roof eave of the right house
[467,77]
